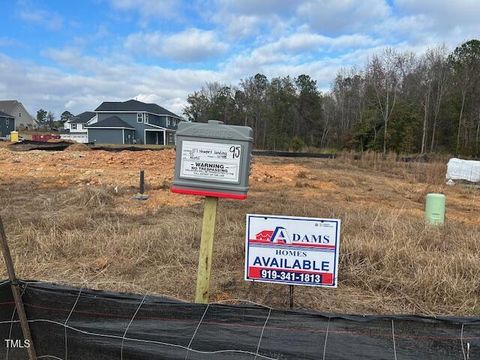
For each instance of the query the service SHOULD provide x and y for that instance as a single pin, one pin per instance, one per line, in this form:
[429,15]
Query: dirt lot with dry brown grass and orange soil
[70,218]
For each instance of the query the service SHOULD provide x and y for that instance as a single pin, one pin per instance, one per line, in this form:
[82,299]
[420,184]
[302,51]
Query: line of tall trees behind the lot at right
[398,101]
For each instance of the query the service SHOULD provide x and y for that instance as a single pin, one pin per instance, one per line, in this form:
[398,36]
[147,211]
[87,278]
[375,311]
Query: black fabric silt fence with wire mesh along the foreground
[76,323]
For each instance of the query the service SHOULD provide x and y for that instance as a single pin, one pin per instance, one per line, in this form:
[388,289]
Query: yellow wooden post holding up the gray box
[206,249]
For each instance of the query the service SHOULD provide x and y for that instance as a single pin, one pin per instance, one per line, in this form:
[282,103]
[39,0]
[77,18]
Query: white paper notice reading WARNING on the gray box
[210,161]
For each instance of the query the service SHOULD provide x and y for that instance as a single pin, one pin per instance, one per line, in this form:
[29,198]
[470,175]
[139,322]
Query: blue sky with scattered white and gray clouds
[72,55]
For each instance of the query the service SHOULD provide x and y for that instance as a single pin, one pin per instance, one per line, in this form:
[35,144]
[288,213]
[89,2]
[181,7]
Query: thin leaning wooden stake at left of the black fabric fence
[16,293]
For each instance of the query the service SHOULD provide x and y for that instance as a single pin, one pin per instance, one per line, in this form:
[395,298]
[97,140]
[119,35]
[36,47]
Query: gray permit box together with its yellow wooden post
[212,160]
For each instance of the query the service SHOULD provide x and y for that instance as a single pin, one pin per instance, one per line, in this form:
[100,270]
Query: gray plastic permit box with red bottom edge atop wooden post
[212,159]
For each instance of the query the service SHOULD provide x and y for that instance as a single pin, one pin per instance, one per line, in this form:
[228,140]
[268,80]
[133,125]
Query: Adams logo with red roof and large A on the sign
[280,235]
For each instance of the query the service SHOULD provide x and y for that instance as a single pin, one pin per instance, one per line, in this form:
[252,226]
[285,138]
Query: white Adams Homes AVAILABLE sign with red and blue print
[292,250]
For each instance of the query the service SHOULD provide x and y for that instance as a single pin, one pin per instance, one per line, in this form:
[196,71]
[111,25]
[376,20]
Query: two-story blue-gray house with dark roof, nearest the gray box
[132,122]
